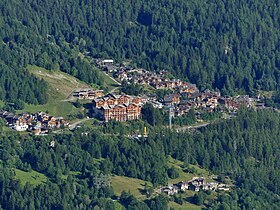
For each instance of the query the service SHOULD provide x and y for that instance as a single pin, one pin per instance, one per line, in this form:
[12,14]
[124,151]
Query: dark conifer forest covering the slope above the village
[228,45]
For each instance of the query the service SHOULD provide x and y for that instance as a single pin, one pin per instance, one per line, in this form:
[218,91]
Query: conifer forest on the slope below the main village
[245,148]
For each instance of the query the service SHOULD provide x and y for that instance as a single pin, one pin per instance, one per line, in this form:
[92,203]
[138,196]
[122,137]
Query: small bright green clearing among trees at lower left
[33,177]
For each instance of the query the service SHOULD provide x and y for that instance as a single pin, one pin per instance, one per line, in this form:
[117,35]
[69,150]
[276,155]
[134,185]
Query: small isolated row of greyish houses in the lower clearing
[196,184]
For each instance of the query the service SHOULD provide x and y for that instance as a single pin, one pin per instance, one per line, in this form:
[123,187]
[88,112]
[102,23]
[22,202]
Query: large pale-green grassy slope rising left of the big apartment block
[59,89]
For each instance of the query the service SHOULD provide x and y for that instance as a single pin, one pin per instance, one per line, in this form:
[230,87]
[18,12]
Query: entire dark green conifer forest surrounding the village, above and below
[226,45]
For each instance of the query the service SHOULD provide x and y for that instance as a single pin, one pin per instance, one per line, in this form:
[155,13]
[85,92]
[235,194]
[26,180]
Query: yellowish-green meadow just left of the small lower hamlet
[134,186]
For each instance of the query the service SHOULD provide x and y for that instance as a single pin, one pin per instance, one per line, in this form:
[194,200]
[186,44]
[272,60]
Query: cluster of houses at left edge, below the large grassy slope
[38,123]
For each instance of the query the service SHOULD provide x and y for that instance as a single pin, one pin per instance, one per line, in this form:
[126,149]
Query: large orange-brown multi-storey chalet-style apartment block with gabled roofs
[118,107]
